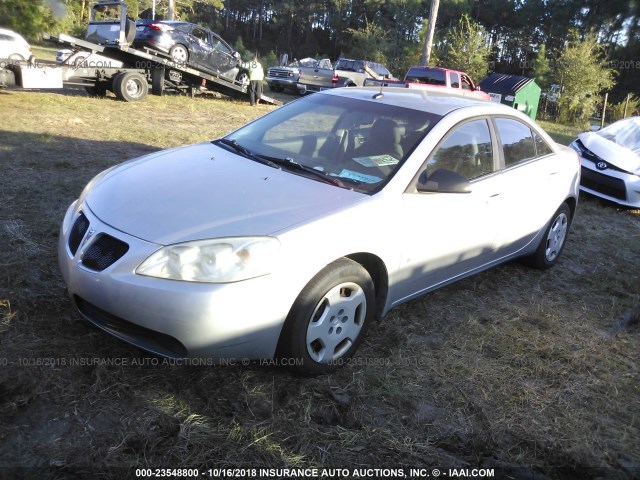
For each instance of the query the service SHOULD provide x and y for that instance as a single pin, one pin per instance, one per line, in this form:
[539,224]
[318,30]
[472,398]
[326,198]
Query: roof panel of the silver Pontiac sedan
[440,103]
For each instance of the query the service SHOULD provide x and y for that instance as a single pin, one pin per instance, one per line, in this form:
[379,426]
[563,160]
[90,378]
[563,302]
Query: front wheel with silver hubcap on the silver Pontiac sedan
[329,319]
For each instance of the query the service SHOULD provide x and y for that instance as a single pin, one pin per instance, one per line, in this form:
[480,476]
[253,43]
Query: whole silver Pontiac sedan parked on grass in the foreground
[288,237]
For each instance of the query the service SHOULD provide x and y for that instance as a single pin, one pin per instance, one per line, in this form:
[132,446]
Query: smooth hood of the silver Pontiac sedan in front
[202,191]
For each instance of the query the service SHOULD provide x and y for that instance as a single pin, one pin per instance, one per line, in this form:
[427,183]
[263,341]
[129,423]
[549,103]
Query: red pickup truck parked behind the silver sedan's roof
[436,78]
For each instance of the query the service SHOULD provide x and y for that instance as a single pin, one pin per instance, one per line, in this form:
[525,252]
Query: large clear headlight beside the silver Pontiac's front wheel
[220,260]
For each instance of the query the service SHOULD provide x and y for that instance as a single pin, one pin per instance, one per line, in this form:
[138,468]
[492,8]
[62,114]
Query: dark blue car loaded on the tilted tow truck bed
[191,45]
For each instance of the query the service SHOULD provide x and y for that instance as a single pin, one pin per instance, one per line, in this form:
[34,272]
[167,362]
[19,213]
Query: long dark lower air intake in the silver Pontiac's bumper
[146,338]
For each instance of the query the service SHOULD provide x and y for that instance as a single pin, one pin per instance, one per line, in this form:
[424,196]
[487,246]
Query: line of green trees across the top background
[541,38]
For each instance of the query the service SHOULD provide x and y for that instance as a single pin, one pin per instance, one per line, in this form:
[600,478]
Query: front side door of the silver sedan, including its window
[446,235]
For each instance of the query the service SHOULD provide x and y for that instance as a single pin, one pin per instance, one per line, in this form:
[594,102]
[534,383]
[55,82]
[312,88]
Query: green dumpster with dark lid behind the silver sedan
[521,93]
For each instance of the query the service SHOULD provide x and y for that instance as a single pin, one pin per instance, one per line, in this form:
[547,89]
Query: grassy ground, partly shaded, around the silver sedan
[532,373]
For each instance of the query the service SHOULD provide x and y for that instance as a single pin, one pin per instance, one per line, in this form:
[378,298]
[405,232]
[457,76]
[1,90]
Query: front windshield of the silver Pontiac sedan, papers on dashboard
[362,143]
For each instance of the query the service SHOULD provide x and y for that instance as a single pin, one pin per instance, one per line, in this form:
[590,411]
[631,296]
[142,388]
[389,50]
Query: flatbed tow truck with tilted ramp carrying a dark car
[127,72]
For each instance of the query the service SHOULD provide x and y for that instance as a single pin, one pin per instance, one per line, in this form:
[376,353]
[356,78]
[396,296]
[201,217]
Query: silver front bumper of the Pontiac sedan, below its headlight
[170,318]
